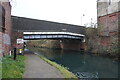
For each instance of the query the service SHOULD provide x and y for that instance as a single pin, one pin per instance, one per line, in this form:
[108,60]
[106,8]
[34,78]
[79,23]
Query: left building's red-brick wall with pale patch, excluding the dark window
[6,35]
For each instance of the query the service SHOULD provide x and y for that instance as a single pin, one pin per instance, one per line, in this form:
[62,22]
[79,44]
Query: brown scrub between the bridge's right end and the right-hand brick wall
[92,40]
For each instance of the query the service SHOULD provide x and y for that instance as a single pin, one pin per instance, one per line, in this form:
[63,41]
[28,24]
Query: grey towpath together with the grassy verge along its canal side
[38,67]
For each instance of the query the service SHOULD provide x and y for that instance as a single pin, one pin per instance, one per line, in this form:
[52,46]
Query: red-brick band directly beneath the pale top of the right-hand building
[108,25]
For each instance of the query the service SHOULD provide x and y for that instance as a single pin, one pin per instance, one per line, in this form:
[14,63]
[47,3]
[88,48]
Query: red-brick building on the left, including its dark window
[5,27]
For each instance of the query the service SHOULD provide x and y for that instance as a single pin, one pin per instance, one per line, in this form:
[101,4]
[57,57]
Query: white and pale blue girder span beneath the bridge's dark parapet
[51,35]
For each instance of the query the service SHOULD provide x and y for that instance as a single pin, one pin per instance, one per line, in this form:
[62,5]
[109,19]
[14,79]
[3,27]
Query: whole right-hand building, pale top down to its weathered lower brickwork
[108,15]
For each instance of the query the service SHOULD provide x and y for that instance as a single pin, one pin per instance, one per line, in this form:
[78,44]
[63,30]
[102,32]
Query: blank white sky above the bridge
[77,12]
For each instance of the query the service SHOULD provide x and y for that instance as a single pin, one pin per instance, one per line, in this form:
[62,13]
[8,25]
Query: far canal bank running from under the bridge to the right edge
[90,46]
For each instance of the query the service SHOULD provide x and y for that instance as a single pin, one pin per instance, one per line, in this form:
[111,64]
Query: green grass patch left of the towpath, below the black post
[13,68]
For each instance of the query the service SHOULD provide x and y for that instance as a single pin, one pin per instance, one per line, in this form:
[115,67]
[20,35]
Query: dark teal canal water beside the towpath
[84,65]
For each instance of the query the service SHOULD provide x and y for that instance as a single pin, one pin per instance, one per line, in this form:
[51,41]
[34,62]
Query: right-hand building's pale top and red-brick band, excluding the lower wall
[108,13]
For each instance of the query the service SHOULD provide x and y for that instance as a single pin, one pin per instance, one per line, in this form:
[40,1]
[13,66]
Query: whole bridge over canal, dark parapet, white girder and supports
[33,29]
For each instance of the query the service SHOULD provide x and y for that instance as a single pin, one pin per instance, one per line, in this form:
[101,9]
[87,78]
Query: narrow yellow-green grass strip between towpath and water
[64,71]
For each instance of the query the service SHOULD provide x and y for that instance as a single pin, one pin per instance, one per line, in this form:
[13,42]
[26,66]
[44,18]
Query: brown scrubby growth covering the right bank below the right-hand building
[101,44]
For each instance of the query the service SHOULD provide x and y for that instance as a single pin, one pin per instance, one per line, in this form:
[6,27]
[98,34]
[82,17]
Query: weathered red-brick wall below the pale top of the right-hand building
[108,28]
